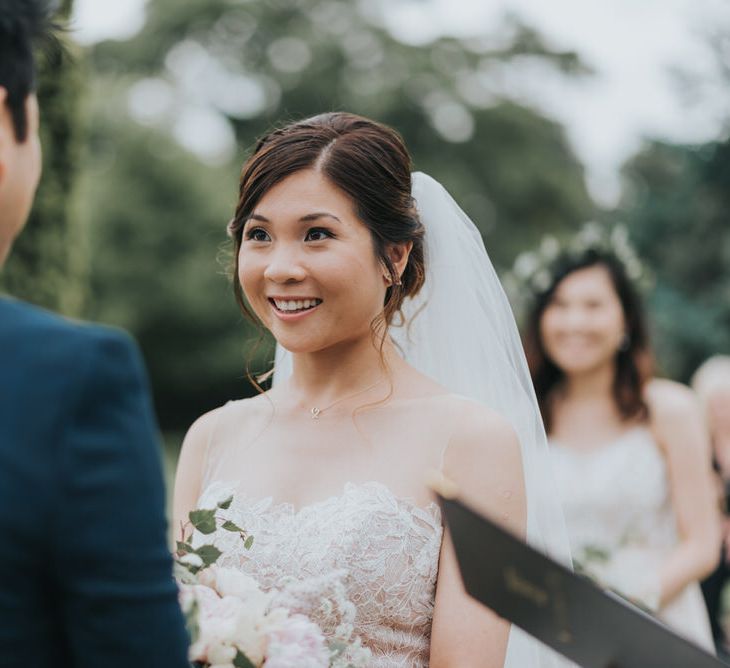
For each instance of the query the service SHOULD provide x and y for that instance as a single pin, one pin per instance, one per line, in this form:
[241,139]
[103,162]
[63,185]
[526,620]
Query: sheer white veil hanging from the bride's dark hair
[460,331]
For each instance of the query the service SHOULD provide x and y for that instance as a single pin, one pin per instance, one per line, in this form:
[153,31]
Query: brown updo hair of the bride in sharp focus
[369,162]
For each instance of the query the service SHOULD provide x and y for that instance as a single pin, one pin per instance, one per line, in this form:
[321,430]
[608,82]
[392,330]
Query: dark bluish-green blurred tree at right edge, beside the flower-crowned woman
[677,204]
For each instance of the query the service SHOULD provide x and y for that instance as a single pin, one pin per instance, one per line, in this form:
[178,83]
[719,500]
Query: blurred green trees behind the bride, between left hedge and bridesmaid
[158,214]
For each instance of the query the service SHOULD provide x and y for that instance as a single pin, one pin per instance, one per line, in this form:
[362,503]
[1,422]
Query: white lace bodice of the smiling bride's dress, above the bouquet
[383,549]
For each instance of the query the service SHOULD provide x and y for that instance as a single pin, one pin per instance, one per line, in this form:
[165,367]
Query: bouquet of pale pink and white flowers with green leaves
[233,623]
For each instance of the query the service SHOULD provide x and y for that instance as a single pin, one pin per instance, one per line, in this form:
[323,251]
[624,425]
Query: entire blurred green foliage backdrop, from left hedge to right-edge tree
[129,227]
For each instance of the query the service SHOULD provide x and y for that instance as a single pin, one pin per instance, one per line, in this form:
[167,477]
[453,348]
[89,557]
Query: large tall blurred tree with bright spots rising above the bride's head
[511,167]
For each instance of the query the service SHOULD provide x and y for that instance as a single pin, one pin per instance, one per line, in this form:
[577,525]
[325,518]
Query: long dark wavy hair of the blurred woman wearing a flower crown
[634,360]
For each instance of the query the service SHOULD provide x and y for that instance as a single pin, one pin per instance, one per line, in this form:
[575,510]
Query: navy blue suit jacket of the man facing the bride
[85,573]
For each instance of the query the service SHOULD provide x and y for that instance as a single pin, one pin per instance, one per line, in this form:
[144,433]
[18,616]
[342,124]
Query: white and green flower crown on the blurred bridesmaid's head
[534,272]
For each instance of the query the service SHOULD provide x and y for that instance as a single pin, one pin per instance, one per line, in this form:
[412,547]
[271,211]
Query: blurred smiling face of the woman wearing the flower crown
[583,325]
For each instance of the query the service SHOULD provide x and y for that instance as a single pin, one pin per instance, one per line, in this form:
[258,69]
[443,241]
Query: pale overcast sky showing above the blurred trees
[634,46]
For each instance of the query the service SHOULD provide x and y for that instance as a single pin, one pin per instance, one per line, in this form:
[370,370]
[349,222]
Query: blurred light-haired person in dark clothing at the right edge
[712,384]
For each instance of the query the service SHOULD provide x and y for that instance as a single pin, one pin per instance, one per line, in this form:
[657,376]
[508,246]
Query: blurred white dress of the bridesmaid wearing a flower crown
[621,523]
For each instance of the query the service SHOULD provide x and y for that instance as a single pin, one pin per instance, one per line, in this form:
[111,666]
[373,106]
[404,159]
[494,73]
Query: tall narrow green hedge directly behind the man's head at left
[49,261]
